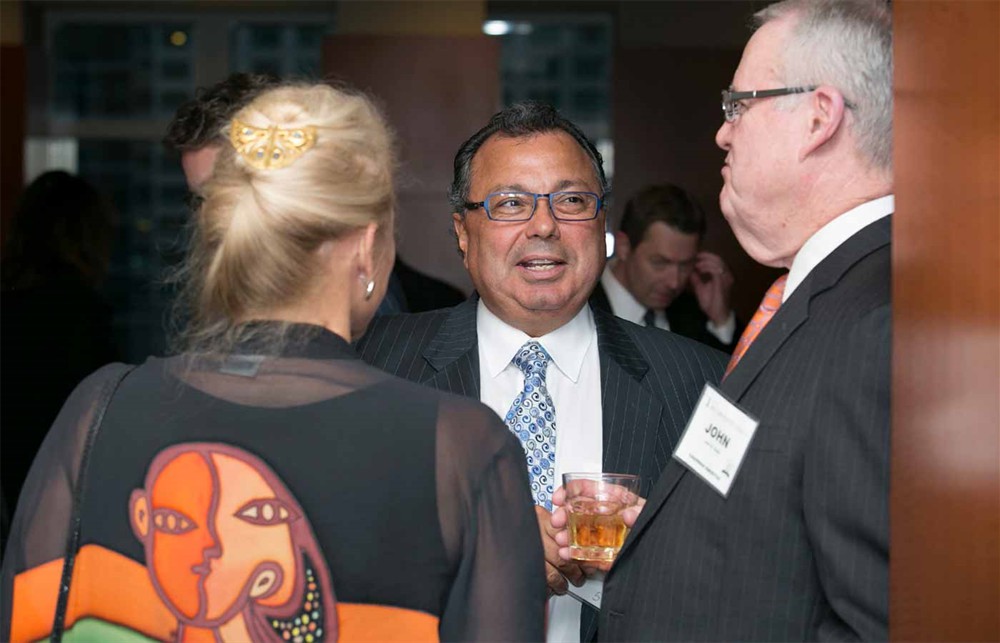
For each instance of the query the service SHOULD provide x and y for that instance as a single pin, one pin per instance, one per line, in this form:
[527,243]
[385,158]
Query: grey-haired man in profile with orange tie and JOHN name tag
[799,548]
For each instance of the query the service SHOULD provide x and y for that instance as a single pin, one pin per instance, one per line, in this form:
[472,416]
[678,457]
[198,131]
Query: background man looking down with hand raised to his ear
[656,258]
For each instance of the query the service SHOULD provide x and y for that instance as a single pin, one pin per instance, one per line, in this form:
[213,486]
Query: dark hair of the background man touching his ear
[666,203]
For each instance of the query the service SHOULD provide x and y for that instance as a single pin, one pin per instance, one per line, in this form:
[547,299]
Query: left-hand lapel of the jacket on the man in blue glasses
[453,352]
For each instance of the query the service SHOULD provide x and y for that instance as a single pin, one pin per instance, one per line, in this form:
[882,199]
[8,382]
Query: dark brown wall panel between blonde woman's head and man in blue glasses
[437,91]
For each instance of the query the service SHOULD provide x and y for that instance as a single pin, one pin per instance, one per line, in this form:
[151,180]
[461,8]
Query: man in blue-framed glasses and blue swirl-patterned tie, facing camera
[584,390]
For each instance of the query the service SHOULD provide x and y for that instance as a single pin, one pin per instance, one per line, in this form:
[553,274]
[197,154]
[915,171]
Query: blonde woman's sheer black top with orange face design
[295,497]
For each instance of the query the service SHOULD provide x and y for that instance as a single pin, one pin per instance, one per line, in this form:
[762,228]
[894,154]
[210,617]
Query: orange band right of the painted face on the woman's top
[359,622]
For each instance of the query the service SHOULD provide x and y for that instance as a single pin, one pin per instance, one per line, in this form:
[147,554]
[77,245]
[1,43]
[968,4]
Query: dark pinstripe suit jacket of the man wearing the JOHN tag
[799,550]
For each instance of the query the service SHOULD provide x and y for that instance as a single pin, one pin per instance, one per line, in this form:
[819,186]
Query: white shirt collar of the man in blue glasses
[567,345]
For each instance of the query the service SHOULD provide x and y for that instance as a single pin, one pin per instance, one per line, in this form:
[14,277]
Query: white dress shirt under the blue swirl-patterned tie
[573,380]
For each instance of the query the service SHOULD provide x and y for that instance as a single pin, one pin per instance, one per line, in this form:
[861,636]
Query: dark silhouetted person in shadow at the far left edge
[57,326]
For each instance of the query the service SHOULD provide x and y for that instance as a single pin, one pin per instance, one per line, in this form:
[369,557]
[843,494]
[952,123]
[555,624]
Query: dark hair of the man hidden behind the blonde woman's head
[198,122]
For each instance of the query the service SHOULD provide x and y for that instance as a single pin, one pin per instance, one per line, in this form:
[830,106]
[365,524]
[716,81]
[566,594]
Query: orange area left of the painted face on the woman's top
[106,585]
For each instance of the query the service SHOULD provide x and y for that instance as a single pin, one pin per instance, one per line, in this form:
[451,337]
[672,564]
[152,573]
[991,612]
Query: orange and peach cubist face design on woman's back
[220,531]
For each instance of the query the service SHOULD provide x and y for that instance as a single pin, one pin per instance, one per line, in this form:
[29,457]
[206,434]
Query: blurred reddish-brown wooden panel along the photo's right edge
[945,557]
